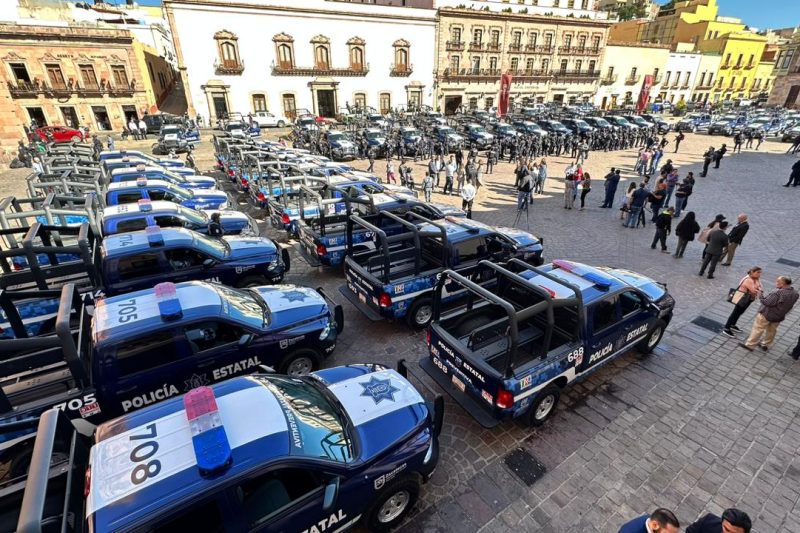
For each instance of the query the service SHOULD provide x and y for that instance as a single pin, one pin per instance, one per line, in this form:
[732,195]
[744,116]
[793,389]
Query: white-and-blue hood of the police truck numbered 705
[291,304]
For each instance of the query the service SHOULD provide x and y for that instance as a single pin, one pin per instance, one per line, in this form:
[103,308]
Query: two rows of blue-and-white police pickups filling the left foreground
[168,339]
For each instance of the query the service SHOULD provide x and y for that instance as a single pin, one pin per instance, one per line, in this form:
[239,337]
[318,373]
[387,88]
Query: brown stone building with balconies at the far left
[67,75]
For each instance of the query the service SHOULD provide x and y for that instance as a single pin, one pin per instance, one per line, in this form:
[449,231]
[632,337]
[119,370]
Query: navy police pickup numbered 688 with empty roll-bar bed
[508,352]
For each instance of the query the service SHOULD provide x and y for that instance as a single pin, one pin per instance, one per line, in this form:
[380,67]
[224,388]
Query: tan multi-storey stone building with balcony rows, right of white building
[551,55]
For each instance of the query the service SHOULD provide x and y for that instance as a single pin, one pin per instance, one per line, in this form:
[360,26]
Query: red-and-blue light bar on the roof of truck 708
[211,447]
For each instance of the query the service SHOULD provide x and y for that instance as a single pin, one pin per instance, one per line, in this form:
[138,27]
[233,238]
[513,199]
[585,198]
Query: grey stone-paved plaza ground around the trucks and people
[697,426]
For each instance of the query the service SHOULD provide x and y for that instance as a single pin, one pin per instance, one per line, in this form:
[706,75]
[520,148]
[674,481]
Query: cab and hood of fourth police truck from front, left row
[132,217]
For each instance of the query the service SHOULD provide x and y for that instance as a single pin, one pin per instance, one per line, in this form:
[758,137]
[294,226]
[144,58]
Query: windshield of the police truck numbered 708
[318,425]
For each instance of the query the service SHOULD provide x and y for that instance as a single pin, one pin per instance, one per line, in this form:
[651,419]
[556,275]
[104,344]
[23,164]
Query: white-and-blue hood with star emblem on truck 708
[382,405]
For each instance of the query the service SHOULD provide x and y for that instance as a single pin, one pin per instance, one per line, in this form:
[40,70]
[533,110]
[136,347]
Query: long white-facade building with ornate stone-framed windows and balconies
[290,56]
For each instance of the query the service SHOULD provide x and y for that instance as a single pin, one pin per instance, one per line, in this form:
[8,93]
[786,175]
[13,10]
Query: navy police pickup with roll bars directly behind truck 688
[396,276]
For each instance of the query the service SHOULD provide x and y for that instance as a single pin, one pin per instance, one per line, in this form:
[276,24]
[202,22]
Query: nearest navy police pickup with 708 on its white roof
[318,454]
